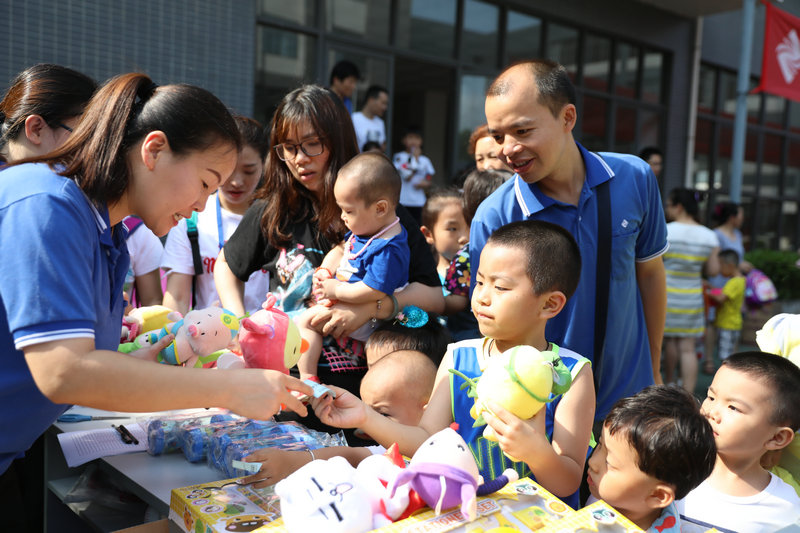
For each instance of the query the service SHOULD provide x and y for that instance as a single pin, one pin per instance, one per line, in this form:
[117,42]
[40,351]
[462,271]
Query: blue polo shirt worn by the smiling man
[639,234]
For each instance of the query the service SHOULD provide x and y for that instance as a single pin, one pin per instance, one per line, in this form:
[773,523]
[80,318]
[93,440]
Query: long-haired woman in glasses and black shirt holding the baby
[295,221]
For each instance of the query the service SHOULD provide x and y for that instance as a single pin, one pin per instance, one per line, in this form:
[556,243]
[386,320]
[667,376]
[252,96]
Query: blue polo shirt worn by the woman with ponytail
[61,277]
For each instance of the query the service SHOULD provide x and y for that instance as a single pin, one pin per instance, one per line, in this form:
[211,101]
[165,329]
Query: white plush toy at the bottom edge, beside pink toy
[324,496]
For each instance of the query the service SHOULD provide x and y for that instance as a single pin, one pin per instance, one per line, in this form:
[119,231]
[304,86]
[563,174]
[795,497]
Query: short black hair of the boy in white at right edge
[782,378]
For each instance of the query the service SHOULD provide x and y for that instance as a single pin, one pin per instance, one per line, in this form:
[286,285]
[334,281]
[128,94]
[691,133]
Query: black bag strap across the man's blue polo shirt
[603,279]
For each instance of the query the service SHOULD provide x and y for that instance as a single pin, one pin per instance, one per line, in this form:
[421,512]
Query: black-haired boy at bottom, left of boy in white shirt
[656,446]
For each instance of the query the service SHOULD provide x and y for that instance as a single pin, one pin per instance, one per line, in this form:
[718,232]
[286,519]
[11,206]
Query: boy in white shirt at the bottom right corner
[752,406]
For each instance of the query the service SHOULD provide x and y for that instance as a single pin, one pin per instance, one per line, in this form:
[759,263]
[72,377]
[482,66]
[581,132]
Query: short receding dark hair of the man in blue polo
[554,88]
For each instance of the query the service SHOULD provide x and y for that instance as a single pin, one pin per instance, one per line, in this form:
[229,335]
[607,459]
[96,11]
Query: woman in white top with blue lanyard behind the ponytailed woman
[223,213]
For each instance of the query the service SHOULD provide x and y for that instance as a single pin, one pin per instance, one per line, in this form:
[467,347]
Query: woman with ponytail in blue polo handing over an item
[158,153]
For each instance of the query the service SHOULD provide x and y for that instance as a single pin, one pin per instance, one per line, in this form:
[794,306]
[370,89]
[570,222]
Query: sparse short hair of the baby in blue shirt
[377,177]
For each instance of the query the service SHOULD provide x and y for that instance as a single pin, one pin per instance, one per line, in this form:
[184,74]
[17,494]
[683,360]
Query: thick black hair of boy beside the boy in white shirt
[673,442]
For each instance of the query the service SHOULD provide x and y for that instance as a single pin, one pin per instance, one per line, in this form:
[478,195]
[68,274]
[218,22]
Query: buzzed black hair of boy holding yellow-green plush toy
[554,259]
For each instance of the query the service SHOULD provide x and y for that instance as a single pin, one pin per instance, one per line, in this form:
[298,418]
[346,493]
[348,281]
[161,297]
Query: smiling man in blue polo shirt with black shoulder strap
[530,110]
